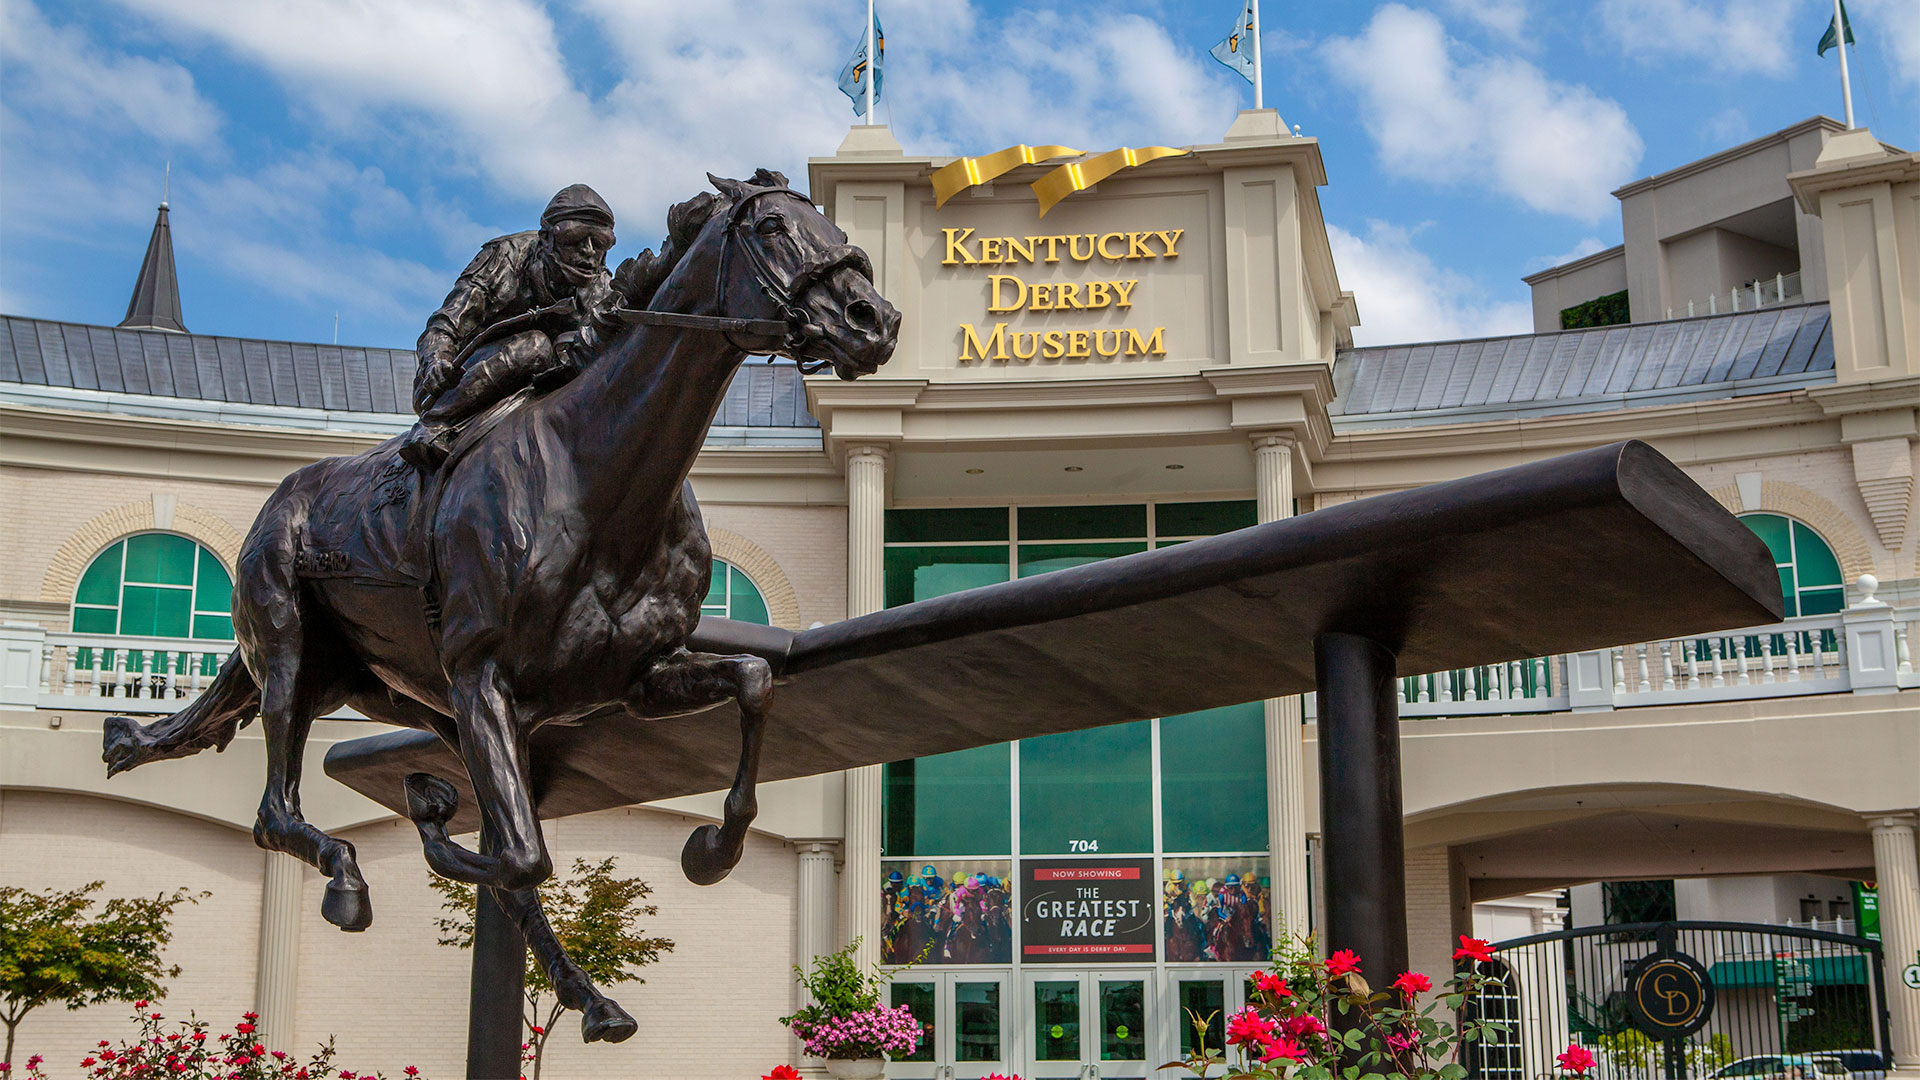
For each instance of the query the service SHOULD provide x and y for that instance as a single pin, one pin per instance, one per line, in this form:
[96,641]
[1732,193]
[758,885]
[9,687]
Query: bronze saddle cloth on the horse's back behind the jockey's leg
[375,522]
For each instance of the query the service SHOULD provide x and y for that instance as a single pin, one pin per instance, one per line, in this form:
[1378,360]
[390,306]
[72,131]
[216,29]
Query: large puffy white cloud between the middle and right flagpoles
[1499,122]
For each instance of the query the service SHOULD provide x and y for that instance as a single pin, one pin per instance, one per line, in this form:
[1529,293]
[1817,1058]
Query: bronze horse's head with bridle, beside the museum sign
[784,260]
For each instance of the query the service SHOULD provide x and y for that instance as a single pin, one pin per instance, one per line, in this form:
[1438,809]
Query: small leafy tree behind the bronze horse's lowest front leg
[596,918]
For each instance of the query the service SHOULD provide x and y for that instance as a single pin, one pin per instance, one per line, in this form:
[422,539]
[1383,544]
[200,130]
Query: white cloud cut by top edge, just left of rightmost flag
[1727,36]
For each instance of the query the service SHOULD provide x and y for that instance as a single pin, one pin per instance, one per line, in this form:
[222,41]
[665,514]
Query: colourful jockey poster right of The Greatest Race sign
[1216,910]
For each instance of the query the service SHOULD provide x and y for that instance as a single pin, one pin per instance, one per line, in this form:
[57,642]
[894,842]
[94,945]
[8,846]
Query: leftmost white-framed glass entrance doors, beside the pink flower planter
[965,1021]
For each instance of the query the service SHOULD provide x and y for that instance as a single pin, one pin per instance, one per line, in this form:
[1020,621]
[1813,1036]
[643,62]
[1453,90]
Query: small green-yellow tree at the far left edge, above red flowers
[57,948]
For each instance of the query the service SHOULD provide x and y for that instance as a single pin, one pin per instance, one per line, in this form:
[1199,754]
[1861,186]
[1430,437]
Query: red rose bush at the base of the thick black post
[1312,1019]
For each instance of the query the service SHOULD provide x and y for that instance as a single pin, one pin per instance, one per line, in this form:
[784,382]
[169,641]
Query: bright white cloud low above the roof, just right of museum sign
[1404,297]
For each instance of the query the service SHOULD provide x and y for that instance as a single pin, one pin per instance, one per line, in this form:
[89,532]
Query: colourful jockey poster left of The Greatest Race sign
[948,912]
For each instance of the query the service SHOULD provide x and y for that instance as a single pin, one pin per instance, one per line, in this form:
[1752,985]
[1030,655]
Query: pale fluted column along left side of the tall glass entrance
[867,593]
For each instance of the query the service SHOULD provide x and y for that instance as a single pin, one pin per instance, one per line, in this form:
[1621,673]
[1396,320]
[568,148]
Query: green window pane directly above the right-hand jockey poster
[1214,779]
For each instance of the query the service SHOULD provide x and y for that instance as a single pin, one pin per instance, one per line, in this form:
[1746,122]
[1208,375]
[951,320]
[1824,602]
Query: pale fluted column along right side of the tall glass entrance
[1287,812]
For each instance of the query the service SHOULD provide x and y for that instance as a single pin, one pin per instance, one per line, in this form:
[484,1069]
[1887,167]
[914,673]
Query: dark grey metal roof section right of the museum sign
[1639,364]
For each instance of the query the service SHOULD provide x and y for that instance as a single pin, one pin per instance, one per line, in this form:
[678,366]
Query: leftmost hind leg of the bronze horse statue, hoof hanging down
[300,679]
